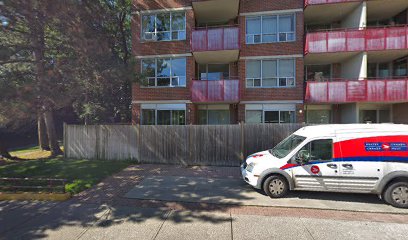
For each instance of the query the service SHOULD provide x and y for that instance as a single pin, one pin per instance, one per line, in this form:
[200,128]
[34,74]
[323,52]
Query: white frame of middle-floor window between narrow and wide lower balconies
[278,77]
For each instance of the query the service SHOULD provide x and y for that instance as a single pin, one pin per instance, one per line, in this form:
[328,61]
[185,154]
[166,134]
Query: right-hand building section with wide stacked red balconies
[356,59]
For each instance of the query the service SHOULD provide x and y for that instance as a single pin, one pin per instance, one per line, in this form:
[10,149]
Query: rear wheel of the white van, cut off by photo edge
[396,194]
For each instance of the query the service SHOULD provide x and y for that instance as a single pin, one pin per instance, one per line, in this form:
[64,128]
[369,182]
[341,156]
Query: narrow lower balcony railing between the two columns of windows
[215,91]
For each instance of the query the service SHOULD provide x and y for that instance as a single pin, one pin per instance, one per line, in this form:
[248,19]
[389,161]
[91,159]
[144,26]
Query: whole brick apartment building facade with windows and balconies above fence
[263,61]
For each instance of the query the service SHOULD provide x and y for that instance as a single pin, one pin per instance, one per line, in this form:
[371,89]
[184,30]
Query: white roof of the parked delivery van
[332,129]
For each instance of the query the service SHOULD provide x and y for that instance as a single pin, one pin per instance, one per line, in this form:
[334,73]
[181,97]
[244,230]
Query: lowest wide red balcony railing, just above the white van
[344,91]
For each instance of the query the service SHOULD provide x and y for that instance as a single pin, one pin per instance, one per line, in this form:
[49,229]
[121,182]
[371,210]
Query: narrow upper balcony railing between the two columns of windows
[215,39]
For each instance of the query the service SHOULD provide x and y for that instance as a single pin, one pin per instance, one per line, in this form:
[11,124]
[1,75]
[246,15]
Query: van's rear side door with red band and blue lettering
[361,172]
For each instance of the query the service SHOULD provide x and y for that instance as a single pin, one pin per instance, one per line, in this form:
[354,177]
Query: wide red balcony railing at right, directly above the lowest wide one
[349,40]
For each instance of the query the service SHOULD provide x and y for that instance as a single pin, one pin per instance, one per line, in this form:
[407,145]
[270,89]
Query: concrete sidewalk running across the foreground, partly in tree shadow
[90,221]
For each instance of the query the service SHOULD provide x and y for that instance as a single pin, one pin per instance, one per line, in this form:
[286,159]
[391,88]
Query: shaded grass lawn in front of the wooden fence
[81,174]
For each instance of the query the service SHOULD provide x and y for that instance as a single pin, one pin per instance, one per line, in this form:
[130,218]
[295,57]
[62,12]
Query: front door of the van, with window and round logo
[317,171]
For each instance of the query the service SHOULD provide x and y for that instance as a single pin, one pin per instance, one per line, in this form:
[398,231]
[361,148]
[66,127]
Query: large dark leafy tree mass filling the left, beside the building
[65,53]
